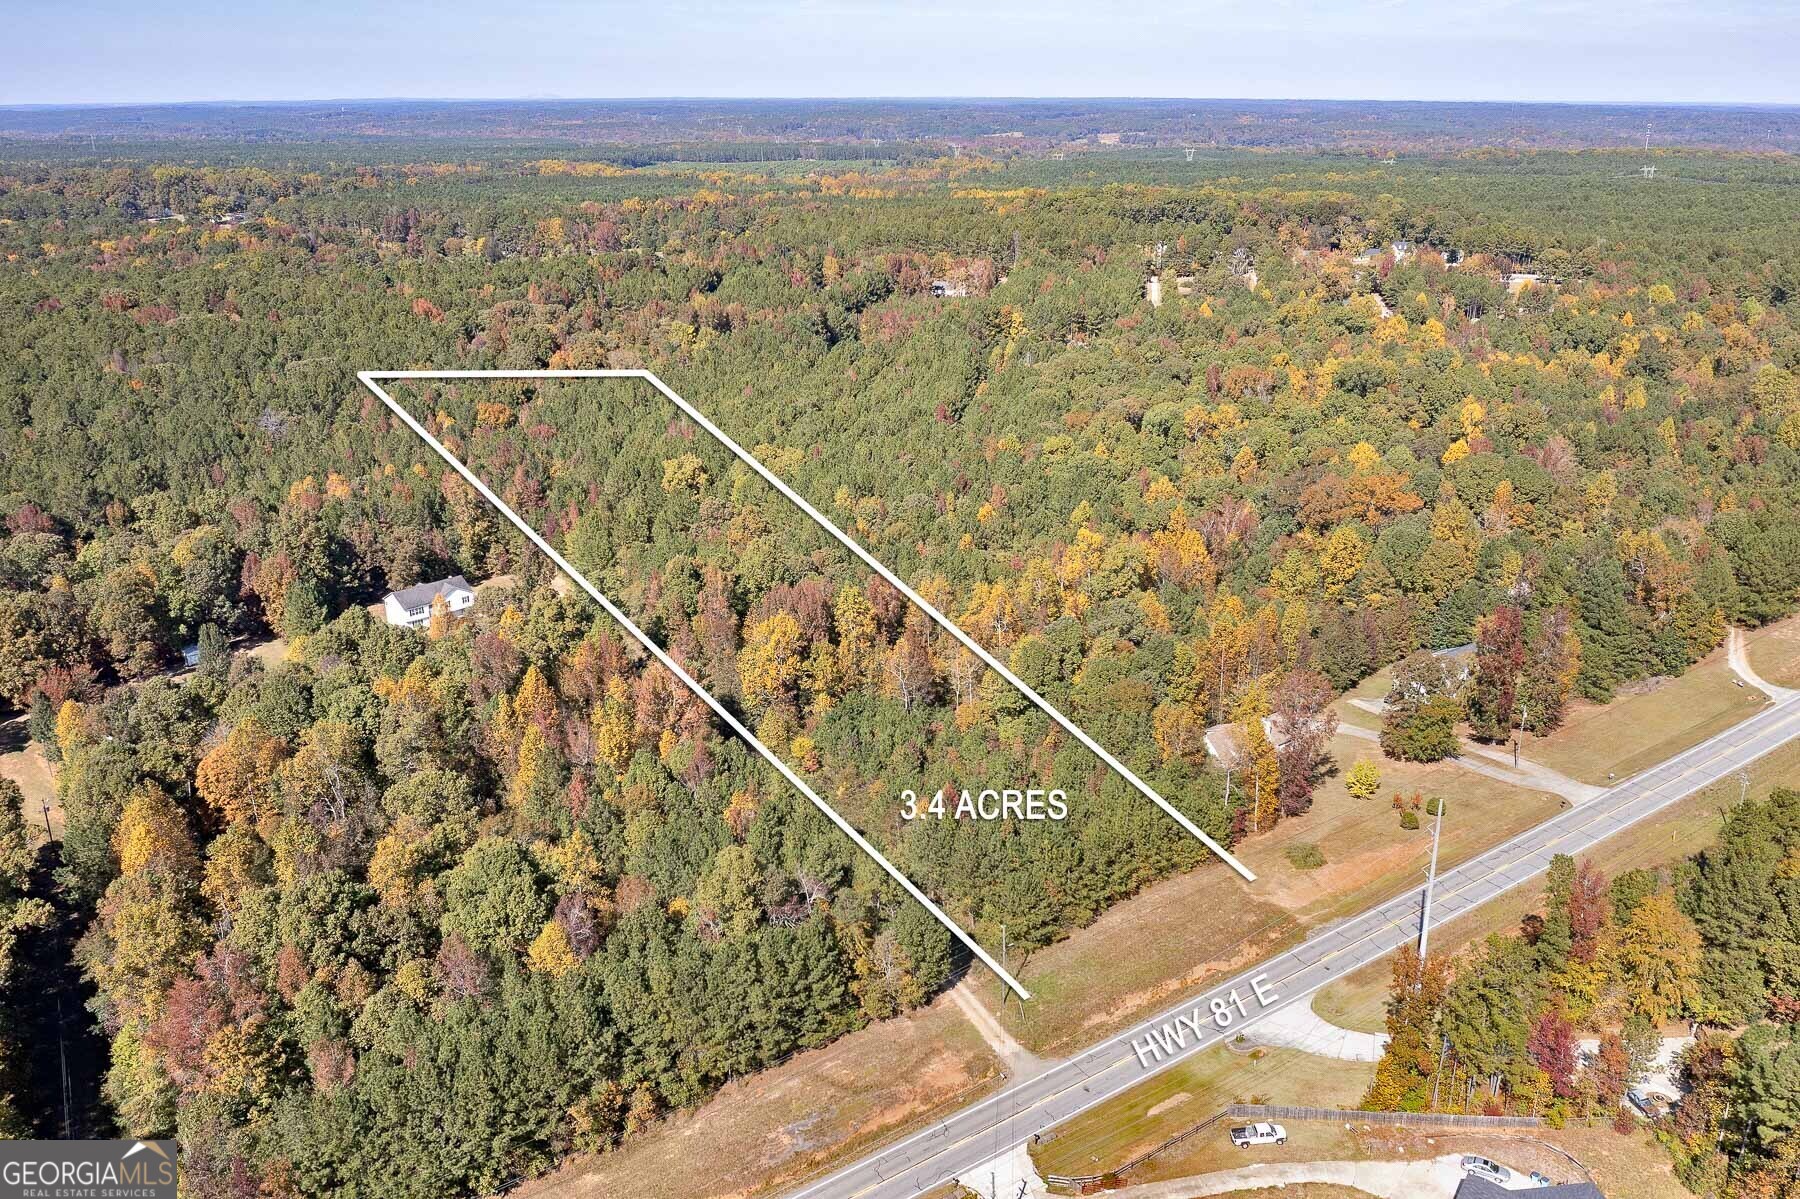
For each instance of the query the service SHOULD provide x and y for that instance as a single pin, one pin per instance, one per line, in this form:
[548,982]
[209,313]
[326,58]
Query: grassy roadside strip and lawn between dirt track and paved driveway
[1084,987]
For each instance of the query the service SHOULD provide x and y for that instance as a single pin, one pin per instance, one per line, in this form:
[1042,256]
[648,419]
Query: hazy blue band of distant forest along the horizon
[847,125]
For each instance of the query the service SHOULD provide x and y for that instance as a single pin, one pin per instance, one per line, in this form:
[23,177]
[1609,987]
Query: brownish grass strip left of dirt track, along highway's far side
[769,1131]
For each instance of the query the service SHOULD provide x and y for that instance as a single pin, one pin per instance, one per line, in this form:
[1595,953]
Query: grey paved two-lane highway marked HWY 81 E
[987,1130]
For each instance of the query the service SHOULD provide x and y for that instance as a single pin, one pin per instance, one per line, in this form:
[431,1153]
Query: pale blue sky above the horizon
[1705,51]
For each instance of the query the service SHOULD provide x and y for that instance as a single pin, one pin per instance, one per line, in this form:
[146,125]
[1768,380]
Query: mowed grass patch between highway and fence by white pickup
[1183,1095]
